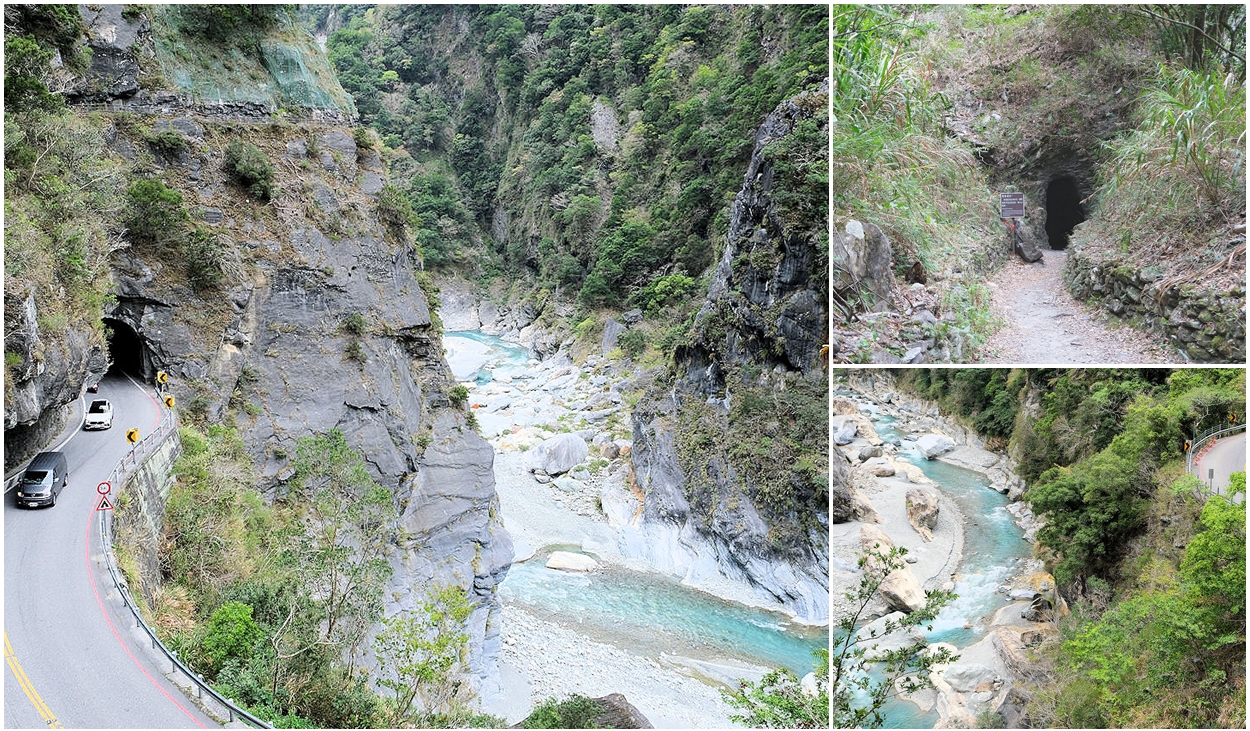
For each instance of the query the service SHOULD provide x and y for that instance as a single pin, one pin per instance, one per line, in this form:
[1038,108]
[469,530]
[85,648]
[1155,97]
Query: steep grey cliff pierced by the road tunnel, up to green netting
[318,318]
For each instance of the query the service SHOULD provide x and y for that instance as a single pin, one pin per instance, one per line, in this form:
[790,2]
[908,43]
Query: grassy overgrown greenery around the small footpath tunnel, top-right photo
[937,111]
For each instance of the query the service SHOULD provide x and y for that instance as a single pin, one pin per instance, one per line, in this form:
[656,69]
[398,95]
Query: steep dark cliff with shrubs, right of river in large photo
[716,445]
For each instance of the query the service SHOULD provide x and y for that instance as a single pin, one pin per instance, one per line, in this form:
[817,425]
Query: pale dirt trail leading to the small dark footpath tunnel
[1043,324]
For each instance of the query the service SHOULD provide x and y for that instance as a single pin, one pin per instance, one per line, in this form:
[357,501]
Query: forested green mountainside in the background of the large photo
[512,114]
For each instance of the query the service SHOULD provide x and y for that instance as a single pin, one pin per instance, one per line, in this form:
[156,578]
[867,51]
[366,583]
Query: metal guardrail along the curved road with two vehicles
[124,469]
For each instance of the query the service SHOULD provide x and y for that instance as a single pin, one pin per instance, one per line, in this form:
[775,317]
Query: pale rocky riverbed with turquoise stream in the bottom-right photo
[998,583]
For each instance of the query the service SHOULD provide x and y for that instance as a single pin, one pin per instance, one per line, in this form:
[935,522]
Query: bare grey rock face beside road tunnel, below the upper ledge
[271,352]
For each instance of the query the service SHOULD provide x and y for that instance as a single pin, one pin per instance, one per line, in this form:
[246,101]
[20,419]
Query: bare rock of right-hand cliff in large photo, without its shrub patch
[767,307]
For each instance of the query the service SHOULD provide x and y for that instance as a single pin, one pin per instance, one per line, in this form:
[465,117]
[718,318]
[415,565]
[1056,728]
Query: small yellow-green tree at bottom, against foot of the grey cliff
[423,657]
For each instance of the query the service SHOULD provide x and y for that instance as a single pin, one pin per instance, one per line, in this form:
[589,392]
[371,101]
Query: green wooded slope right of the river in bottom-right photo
[1139,548]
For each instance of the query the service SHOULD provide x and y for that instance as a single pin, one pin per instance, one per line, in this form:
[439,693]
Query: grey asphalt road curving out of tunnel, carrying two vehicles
[73,657]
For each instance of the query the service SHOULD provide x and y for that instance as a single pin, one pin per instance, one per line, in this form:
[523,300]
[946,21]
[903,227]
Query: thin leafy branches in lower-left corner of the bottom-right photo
[904,670]
